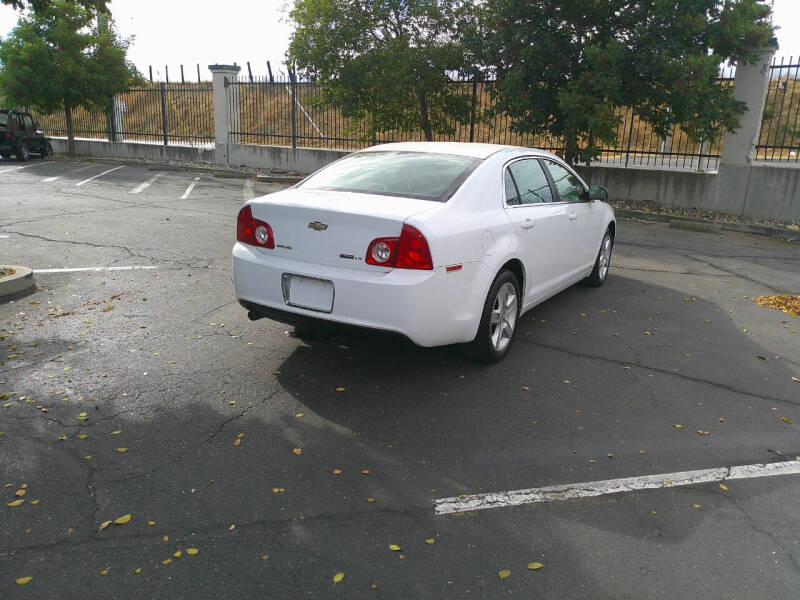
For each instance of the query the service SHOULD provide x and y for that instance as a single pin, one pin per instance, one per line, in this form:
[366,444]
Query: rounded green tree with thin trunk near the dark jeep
[62,57]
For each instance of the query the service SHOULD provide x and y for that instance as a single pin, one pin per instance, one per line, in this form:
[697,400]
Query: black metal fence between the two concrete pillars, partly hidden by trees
[284,111]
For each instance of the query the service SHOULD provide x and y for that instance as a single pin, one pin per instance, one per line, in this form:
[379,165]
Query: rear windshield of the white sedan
[427,176]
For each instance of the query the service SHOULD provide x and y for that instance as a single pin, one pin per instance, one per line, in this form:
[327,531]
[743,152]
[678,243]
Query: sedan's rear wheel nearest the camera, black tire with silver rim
[498,320]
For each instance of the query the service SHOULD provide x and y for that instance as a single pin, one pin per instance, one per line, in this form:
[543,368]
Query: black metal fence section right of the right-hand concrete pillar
[780,130]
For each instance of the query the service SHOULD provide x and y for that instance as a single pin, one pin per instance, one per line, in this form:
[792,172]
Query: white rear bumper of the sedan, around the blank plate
[431,308]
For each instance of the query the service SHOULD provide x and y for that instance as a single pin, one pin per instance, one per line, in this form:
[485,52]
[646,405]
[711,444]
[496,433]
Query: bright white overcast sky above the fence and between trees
[204,32]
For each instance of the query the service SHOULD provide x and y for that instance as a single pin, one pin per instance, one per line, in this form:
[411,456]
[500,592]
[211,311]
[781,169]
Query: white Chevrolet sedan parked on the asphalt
[441,242]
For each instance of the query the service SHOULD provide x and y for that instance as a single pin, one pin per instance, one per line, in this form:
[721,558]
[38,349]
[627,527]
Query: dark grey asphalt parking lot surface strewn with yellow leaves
[133,383]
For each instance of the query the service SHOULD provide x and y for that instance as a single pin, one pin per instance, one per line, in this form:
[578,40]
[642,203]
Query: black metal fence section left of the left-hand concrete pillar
[160,113]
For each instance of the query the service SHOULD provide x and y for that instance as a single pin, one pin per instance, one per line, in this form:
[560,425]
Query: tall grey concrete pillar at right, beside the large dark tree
[749,86]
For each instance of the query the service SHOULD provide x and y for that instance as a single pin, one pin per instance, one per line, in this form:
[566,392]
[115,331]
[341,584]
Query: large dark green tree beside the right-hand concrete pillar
[564,67]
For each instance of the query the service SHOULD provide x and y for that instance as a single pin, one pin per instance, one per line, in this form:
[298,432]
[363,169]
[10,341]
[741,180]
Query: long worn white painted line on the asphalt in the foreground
[465,503]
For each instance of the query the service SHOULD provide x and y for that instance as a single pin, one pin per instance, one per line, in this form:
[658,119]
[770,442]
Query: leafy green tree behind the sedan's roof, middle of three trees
[384,62]
